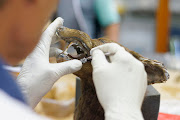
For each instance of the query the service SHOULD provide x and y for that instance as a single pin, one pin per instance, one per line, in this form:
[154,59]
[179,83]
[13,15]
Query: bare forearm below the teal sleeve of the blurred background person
[112,32]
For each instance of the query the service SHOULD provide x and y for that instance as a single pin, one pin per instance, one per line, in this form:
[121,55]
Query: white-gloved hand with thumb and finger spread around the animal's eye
[38,75]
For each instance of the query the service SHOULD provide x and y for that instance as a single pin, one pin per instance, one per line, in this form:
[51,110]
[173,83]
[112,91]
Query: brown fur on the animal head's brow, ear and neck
[88,107]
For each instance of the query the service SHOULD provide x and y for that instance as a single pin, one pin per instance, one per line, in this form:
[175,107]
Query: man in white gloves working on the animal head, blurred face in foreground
[120,84]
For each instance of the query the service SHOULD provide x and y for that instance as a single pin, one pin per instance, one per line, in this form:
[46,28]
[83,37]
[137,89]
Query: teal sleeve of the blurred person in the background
[106,12]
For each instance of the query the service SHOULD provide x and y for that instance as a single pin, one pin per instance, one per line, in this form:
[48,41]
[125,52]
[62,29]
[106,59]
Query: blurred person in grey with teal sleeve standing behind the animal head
[95,17]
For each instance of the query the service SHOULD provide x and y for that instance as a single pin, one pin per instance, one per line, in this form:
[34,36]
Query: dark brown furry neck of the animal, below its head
[88,107]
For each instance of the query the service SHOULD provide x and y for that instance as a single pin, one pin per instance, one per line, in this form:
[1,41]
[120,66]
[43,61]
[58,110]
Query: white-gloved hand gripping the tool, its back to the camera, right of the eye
[120,84]
